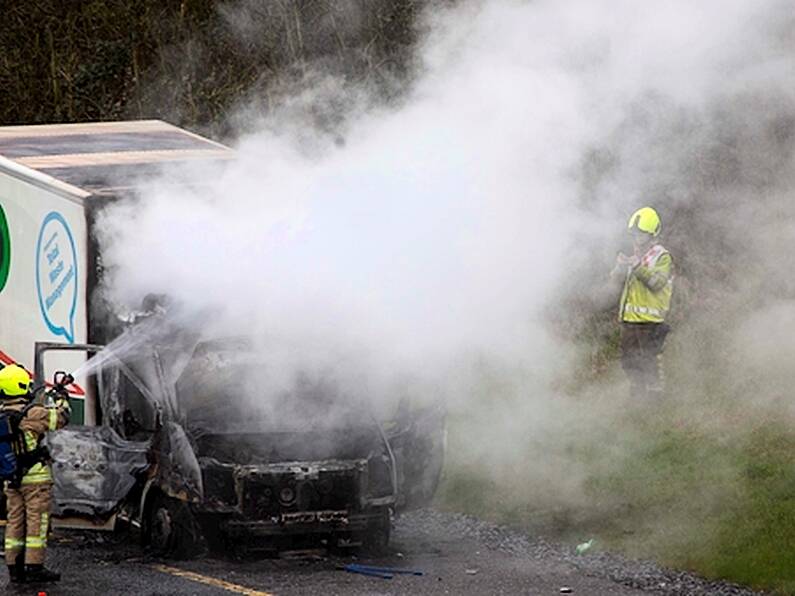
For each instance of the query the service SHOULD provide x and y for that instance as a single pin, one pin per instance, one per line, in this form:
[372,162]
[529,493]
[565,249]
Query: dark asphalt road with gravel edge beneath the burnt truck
[456,555]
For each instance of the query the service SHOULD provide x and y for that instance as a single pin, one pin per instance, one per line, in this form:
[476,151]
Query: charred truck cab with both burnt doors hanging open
[192,453]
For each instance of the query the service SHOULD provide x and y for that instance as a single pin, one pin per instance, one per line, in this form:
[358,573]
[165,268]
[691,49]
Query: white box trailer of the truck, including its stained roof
[53,178]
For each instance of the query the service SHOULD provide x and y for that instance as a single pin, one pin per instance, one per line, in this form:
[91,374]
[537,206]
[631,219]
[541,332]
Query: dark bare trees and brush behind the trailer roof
[188,61]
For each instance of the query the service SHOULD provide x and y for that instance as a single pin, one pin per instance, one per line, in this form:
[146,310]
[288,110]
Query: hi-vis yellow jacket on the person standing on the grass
[648,288]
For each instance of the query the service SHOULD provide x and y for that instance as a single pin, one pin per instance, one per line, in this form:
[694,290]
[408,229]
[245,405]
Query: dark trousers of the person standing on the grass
[641,357]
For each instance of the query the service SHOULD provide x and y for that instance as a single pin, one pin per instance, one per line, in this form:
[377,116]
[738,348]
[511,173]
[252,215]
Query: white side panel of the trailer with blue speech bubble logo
[42,269]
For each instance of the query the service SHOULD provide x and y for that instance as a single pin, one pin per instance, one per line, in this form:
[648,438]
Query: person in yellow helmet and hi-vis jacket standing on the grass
[645,301]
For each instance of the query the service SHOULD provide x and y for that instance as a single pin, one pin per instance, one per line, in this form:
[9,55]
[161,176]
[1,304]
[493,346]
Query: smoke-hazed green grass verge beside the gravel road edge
[660,482]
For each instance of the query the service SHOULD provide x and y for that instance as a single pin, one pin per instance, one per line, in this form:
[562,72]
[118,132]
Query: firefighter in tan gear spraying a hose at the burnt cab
[28,501]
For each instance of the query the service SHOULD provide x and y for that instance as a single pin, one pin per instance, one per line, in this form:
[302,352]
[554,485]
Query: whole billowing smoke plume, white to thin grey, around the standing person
[458,239]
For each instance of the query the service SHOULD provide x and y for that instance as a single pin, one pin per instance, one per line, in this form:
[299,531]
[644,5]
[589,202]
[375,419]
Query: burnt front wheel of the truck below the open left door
[171,530]
